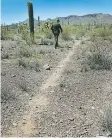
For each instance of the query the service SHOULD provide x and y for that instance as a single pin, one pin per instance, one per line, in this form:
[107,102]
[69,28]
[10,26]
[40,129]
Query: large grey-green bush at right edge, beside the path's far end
[99,57]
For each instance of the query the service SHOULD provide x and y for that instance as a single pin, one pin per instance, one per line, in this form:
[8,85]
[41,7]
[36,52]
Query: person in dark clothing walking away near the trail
[56,29]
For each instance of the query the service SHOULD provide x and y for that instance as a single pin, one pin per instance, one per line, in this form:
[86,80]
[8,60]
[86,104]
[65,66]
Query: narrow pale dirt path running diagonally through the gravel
[26,126]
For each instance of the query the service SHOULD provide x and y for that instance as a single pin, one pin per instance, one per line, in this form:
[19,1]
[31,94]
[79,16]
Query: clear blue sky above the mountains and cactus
[13,11]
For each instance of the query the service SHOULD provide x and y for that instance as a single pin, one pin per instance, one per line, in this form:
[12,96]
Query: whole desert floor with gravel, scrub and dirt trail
[64,92]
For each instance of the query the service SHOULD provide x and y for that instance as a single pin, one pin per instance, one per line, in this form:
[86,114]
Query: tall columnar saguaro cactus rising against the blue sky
[31,19]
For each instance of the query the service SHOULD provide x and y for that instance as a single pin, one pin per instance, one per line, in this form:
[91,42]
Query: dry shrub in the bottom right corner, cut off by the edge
[107,121]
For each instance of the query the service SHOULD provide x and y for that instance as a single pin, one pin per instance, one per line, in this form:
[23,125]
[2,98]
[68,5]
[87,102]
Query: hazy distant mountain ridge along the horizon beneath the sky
[97,18]
